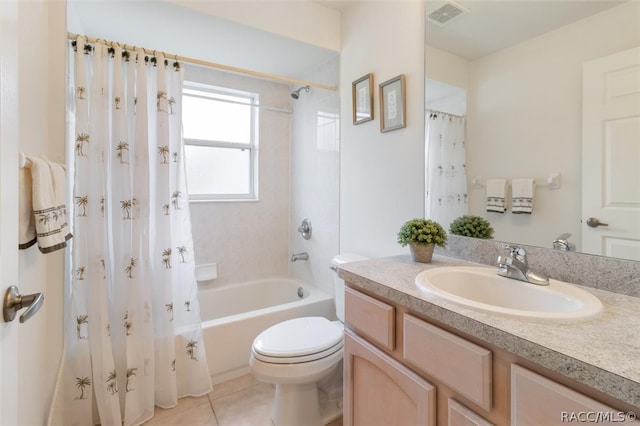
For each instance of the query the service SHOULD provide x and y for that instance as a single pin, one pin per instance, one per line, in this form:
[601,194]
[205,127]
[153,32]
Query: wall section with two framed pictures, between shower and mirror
[381,174]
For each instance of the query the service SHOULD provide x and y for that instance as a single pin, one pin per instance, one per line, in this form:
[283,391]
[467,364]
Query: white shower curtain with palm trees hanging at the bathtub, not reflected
[132,323]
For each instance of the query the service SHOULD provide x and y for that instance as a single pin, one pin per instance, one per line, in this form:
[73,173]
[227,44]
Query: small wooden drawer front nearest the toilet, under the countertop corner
[370,317]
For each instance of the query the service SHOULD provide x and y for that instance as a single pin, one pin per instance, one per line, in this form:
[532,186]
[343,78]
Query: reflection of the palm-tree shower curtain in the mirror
[446,175]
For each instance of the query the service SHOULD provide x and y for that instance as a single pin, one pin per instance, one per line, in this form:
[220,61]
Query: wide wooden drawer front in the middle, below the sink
[457,363]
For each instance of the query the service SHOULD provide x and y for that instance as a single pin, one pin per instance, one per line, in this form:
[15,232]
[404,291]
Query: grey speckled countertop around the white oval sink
[602,353]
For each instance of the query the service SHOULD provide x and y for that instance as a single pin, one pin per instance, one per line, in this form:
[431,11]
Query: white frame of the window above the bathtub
[251,146]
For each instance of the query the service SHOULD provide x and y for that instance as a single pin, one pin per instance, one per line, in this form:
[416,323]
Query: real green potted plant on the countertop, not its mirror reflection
[422,235]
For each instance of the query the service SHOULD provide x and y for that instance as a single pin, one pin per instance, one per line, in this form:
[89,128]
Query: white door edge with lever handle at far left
[8,206]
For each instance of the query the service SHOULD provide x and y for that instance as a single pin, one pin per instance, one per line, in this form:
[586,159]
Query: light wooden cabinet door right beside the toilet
[381,391]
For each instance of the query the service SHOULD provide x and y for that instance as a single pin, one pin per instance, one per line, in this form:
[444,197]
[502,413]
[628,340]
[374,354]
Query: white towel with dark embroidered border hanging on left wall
[49,212]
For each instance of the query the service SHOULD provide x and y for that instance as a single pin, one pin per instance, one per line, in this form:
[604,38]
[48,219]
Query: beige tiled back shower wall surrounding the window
[249,240]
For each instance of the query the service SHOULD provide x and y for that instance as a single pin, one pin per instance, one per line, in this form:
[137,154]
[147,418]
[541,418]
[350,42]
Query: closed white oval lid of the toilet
[298,337]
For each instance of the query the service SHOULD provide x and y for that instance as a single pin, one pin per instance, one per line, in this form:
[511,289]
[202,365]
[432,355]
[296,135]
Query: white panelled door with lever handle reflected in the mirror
[611,155]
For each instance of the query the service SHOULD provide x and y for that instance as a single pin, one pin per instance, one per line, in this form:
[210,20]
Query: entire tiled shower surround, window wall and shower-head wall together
[299,166]
